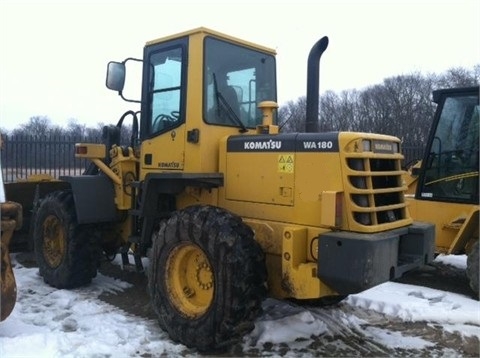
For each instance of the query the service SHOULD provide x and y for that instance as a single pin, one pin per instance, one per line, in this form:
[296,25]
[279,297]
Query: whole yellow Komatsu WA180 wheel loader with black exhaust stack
[228,209]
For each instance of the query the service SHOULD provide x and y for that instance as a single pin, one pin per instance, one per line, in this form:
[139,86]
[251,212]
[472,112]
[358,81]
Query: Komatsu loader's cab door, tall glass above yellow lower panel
[163,106]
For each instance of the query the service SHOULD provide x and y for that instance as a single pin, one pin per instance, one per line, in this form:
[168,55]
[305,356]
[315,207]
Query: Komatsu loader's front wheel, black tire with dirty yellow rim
[67,254]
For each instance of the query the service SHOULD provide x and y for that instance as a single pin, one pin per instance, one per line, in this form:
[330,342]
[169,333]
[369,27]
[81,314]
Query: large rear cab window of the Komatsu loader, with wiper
[236,80]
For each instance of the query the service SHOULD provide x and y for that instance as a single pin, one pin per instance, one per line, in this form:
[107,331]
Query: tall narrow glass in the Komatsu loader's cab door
[164,88]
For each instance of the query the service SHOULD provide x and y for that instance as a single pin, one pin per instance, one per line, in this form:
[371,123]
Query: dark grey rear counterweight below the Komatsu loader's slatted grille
[352,262]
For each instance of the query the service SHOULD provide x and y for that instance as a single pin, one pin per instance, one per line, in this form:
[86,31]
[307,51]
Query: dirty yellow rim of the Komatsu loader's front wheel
[53,241]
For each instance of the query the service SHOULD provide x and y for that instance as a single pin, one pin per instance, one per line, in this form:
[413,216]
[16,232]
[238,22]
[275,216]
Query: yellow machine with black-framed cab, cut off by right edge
[443,186]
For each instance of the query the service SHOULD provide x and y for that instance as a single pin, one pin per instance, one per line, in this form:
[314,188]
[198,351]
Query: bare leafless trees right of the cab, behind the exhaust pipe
[400,106]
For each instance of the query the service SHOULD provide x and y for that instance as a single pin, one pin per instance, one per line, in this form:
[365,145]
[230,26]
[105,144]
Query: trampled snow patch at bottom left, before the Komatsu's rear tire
[47,322]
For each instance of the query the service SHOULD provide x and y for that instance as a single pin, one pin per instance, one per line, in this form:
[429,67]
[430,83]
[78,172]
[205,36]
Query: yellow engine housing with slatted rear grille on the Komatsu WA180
[290,197]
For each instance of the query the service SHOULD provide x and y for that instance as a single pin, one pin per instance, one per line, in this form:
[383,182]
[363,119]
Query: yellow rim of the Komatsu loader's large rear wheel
[190,281]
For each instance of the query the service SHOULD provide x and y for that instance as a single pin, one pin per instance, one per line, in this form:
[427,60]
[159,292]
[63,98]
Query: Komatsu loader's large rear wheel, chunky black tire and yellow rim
[207,278]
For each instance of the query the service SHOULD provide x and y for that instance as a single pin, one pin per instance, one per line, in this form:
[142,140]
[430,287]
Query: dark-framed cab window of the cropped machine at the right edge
[452,164]
